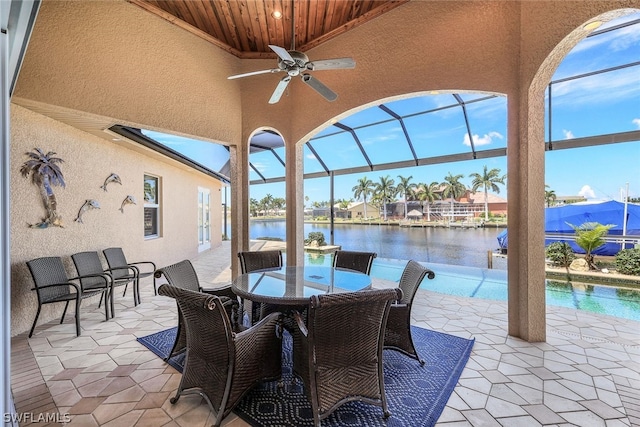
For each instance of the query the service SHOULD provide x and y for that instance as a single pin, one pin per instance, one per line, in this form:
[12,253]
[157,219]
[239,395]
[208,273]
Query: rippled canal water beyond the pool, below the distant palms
[455,246]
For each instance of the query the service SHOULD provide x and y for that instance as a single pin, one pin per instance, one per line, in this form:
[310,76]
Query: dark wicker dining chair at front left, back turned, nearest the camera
[220,365]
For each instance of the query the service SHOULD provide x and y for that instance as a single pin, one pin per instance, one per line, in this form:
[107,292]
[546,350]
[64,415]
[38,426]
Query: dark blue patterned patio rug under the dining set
[416,394]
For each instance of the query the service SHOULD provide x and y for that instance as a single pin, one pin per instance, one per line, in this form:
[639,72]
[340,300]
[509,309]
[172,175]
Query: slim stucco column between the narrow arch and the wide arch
[295,204]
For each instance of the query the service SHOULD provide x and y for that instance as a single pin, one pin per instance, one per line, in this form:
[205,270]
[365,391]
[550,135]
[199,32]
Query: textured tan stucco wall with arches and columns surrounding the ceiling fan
[111,59]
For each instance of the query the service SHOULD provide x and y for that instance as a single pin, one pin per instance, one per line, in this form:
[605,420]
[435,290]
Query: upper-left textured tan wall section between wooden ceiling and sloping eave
[111,58]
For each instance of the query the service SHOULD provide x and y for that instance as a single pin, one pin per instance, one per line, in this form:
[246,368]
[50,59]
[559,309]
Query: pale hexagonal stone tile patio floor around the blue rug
[586,374]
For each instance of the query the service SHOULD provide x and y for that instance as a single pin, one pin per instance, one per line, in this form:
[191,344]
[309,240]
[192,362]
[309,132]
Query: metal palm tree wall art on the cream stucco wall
[46,174]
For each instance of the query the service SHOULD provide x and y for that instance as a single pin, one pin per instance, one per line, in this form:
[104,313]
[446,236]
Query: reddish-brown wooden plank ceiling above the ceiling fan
[245,28]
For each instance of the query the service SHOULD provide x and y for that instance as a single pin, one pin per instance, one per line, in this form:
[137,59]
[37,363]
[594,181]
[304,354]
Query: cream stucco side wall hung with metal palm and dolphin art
[88,160]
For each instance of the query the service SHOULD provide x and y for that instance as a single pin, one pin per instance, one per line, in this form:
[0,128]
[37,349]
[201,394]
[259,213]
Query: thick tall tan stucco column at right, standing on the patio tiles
[525,163]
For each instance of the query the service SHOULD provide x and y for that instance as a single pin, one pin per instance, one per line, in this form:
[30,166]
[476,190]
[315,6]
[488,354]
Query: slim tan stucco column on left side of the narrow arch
[239,161]
